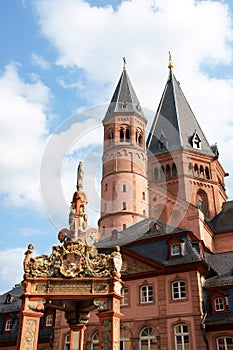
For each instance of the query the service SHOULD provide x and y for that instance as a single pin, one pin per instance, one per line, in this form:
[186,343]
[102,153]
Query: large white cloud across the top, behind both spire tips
[197,33]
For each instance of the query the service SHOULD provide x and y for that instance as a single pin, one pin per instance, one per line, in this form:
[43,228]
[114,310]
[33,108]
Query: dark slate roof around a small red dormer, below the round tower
[150,239]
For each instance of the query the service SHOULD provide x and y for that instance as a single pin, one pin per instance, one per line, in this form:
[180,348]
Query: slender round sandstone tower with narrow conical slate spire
[124,173]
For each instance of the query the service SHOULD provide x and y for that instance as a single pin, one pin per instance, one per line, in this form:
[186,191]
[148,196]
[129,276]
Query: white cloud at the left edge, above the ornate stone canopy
[23,135]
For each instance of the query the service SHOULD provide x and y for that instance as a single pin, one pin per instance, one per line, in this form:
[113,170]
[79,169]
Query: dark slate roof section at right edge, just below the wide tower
[223,222]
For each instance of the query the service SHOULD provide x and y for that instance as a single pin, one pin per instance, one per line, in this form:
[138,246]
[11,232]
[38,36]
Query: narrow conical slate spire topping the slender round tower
[124,98]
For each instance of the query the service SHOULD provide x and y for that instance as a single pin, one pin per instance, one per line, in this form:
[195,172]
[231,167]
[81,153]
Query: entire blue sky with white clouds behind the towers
[59,63]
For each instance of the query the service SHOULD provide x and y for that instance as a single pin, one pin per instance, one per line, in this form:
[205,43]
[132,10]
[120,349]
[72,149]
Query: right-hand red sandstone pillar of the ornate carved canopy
[109,326]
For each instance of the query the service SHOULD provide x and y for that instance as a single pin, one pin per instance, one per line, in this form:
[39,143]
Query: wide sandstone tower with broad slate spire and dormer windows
[181,163]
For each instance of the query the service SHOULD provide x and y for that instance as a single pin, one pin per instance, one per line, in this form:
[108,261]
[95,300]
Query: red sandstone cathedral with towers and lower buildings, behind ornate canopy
[164,203]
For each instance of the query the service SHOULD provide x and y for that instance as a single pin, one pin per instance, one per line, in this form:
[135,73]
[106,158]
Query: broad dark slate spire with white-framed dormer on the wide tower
[175,125]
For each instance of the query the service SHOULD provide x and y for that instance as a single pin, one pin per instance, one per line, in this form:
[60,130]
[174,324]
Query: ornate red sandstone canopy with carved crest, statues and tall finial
[74,278]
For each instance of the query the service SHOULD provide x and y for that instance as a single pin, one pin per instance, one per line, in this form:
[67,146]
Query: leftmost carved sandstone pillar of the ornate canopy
[28,330]
